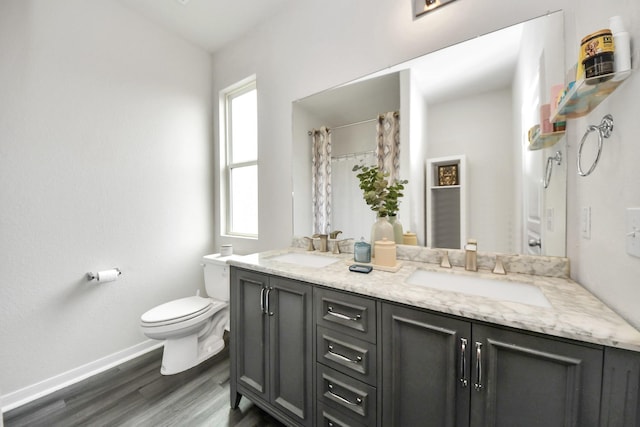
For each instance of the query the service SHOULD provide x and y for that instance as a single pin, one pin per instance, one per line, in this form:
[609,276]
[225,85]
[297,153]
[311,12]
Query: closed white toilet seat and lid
[180,310]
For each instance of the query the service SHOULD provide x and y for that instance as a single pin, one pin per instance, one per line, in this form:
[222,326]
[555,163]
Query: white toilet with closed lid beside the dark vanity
[192,327]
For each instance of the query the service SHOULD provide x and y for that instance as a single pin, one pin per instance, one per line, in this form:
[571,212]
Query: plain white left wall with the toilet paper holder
[105,133]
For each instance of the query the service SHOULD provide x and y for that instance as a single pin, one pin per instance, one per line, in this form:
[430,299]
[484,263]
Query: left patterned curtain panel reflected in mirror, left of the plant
[321,180]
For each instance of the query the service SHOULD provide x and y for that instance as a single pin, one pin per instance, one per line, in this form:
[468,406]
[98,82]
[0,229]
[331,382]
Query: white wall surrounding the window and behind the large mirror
[293,58]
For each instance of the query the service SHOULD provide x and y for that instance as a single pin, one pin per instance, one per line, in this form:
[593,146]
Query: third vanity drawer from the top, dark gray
[346,395]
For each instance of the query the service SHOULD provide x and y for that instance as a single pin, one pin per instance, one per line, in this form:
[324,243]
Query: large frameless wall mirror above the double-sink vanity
[475,100]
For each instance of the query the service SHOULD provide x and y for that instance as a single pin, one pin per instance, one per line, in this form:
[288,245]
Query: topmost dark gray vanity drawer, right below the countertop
[350,314]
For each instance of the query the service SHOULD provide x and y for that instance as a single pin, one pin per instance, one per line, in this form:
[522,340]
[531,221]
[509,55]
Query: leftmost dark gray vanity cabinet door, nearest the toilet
[249,332]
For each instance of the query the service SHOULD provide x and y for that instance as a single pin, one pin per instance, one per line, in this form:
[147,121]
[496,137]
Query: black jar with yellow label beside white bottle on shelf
[596,55]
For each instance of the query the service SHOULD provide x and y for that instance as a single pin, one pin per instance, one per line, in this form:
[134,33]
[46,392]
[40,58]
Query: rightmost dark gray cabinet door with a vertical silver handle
[521,380]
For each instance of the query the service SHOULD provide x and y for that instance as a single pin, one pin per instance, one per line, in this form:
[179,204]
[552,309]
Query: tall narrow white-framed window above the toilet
[241,168]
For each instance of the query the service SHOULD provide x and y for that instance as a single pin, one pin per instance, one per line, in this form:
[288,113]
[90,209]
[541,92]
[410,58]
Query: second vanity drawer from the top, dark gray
[347,354]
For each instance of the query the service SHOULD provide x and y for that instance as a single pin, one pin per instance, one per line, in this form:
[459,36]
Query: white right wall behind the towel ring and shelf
[601,263]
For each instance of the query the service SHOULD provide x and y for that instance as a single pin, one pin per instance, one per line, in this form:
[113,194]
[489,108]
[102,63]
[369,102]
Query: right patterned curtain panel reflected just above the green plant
[388,147]
